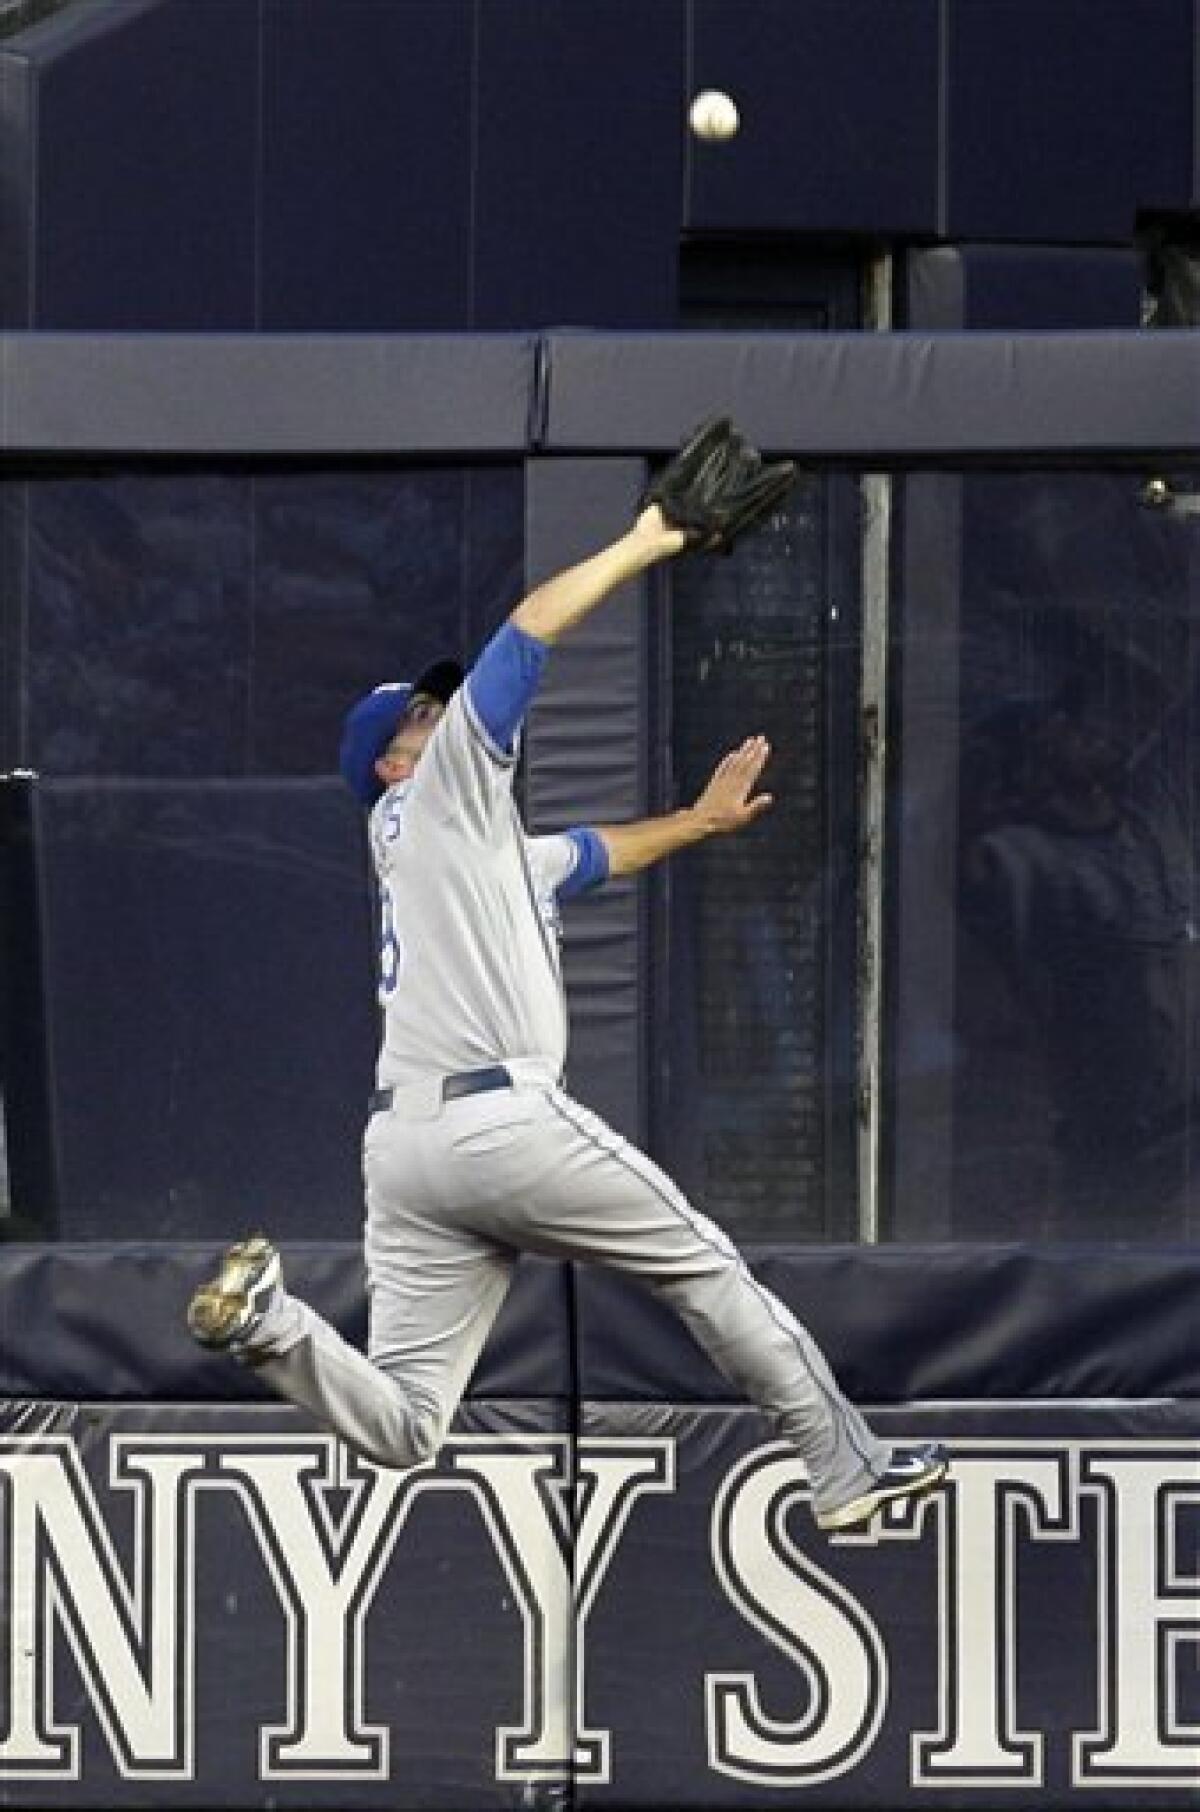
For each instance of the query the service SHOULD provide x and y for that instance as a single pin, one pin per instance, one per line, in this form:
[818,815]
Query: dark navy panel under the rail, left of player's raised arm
[184,624]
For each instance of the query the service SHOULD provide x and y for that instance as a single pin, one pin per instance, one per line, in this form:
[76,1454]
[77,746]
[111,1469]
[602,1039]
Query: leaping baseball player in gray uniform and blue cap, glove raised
[474,1153]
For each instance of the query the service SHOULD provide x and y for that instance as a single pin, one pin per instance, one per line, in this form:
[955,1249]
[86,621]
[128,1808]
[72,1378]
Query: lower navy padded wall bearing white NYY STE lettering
[608,1590]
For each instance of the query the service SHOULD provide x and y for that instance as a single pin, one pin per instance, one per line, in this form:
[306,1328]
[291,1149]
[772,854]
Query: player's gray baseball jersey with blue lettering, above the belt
[469,954]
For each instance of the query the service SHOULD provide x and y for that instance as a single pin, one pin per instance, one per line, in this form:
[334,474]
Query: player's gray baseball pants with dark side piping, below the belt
[454,1195]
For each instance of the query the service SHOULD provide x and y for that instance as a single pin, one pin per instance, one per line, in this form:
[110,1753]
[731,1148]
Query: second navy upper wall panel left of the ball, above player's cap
[367,166]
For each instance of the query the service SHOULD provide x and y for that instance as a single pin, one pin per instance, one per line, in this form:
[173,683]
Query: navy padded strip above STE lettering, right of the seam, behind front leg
[933,1322]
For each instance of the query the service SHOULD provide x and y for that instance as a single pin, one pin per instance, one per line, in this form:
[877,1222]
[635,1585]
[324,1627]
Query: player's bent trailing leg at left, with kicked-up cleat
[434,1295]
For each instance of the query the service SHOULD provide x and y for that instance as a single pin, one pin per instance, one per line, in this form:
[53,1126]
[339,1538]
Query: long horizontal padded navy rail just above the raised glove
[840,396]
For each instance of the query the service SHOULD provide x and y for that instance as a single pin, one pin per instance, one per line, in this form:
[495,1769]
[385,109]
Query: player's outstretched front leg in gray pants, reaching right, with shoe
[576,1190]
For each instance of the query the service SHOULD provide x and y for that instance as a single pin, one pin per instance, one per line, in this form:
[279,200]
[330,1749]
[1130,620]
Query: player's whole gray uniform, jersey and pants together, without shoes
[458,1188]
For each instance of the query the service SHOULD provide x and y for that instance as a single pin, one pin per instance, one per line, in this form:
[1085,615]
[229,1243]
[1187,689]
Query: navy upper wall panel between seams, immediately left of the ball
[579,164]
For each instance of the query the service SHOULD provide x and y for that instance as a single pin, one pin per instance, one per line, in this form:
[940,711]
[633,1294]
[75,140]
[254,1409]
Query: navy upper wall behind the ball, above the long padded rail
[469,164]
